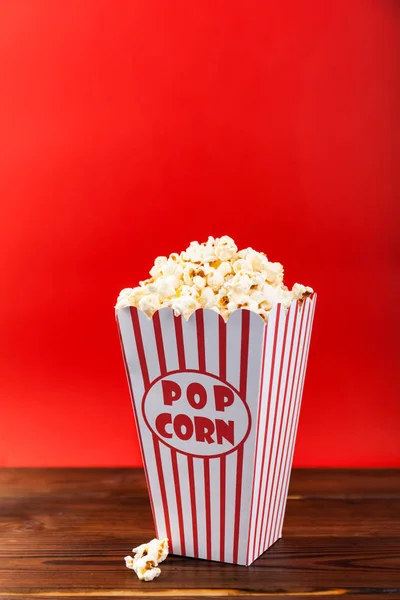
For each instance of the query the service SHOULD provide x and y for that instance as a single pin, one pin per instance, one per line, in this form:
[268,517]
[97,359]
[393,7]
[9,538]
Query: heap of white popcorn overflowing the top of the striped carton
[213,275]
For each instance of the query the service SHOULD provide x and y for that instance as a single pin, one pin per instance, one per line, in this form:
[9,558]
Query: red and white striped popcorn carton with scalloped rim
[217,406]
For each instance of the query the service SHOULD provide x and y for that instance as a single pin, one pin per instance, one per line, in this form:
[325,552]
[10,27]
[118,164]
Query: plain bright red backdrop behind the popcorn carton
[130,128]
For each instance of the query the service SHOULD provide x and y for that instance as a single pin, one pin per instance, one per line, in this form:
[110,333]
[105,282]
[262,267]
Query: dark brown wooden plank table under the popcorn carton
[64,533]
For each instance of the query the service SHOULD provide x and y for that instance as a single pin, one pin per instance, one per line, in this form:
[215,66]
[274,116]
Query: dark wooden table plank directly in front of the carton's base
[292,564]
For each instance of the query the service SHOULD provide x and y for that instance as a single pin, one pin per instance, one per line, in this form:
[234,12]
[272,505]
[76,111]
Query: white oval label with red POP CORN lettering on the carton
[196,413]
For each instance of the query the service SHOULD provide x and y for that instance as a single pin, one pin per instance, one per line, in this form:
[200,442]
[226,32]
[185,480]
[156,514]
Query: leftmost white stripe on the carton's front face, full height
[133,365]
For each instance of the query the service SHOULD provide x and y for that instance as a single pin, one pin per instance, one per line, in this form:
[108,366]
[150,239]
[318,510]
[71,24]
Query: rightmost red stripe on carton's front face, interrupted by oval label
[243,389]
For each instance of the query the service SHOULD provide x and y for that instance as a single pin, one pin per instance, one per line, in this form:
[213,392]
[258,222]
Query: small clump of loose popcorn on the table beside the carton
[146,559]
